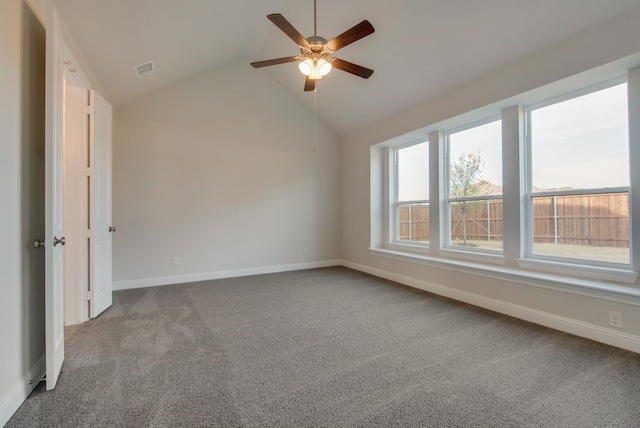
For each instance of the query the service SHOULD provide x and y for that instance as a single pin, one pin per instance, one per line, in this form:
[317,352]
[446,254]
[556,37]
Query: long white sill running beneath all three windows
[622,291]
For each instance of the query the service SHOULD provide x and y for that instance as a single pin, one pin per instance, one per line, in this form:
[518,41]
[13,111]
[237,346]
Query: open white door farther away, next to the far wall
[100,282]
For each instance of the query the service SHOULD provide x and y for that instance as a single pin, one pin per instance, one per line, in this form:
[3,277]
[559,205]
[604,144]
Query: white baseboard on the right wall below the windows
[590,331]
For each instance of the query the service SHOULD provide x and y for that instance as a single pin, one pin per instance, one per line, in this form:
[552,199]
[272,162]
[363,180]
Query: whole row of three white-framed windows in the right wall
[568,168]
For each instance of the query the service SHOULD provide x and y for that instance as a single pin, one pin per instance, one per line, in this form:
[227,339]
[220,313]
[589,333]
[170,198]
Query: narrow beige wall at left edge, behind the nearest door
[22,50]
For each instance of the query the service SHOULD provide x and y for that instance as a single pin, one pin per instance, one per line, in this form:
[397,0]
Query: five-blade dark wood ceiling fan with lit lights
[315,60]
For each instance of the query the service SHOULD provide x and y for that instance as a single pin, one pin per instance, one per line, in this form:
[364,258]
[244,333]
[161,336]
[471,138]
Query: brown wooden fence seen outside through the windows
[600,220]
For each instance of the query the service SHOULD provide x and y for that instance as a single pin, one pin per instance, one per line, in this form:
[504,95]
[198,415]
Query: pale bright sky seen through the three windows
[580,143]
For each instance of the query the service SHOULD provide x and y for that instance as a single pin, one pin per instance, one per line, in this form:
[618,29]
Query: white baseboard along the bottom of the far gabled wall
[207,276]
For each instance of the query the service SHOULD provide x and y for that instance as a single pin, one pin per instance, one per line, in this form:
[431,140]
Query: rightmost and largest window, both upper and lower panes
[578,200]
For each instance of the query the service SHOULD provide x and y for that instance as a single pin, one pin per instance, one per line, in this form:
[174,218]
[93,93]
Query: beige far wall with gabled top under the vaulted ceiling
[220,171]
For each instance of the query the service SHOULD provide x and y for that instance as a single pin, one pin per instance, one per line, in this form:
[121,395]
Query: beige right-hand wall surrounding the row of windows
[612,44]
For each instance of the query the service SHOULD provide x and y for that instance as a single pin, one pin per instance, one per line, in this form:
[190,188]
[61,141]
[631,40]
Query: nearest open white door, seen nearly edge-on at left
[54,234]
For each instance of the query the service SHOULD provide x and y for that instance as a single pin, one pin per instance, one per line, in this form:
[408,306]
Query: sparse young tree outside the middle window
[465,180]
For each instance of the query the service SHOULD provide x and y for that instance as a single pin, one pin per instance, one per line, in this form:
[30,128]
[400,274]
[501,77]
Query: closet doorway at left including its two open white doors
[78,278]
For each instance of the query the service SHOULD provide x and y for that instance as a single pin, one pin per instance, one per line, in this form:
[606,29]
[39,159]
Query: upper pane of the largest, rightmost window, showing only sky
[581,143]
